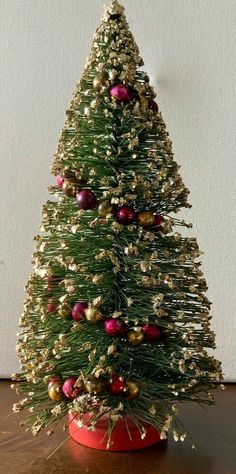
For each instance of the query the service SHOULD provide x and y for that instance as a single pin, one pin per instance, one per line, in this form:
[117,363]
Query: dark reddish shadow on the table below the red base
[165,458]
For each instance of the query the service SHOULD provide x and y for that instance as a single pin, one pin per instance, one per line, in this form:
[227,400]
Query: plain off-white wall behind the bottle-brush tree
[189,49]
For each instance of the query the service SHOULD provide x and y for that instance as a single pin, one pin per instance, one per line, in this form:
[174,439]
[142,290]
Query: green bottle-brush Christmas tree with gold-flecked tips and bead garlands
[116,320]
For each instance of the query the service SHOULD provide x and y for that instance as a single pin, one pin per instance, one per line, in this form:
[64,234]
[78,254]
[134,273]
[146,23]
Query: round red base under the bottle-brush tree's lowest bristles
[121,439]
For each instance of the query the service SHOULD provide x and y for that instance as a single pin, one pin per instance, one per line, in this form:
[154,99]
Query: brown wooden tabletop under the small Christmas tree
[213,430]
